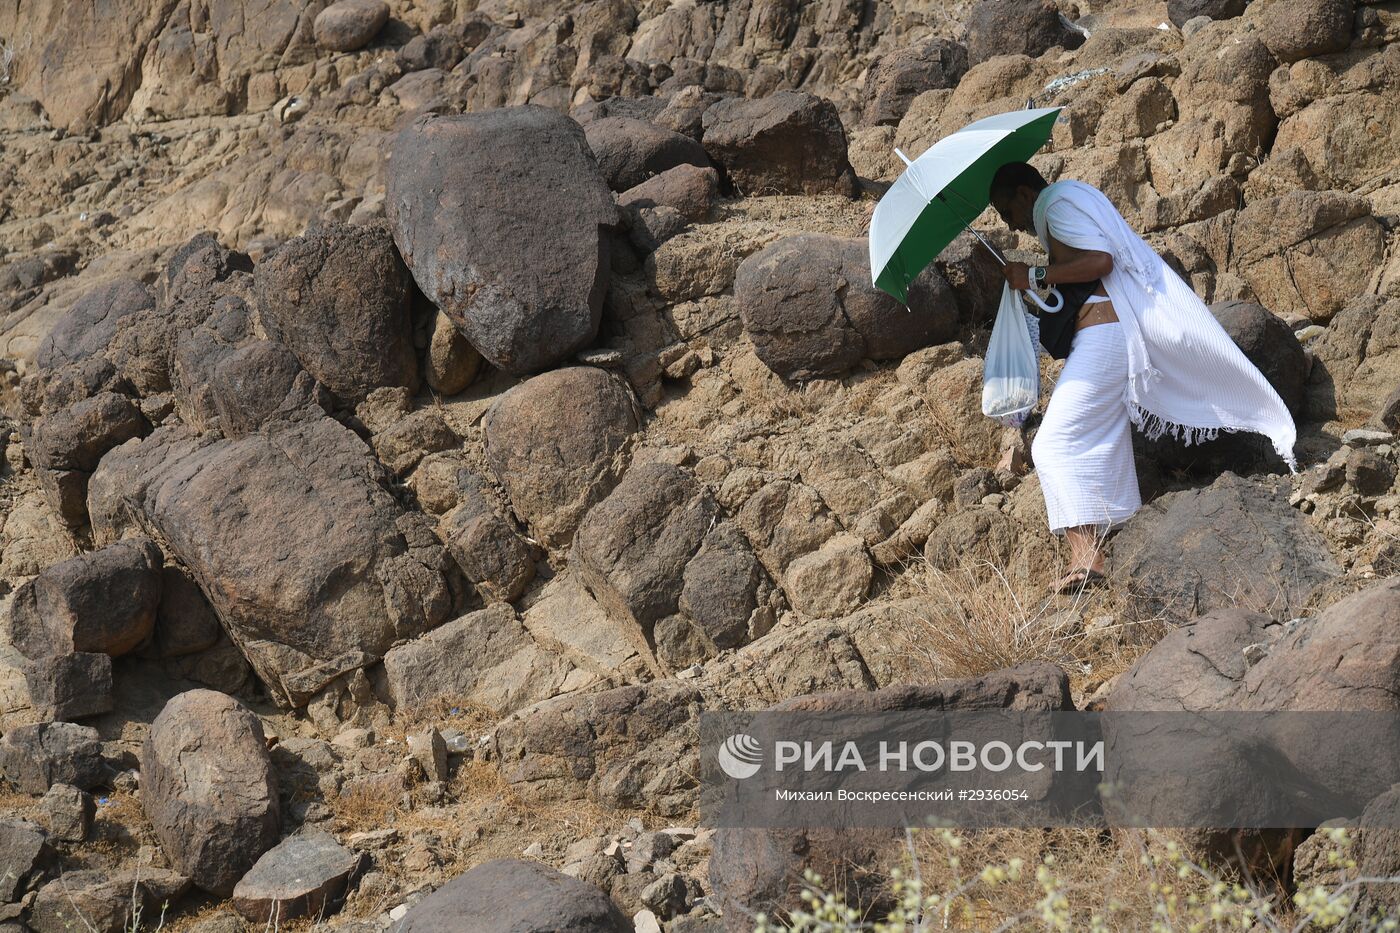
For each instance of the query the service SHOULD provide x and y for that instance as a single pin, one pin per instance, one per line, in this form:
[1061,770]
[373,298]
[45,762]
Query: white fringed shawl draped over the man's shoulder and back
[1186,376]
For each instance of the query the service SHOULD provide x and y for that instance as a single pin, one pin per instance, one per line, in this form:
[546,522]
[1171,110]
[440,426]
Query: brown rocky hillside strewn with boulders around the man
[418,414]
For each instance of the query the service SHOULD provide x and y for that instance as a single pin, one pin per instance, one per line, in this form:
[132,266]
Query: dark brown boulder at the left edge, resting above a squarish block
[103,602]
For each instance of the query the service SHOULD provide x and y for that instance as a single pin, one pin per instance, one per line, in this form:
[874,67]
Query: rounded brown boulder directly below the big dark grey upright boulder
[586,418]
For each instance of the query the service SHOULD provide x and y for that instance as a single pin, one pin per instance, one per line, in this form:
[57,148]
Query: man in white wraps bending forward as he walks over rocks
[1144,351]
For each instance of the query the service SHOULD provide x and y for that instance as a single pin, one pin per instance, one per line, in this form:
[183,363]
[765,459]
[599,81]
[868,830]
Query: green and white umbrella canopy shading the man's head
[943,193]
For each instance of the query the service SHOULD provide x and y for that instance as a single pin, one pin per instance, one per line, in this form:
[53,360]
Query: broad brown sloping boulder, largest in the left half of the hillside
[296,539]
